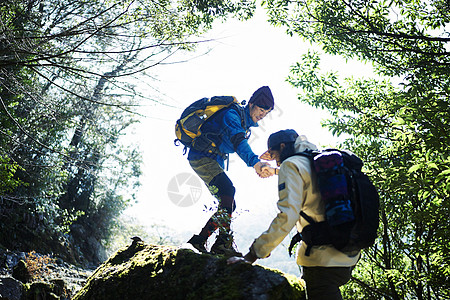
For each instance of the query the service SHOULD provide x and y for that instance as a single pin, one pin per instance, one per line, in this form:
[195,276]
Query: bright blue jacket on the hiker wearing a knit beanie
[231,137]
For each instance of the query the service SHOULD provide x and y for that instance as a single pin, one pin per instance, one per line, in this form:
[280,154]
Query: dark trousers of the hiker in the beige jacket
[322,283]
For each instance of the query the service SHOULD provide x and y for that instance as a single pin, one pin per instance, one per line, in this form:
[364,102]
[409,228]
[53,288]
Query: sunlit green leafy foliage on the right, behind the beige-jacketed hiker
[398,123]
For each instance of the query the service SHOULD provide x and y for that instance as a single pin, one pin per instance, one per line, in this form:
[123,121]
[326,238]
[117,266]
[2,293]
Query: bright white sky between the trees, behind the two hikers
[246,56]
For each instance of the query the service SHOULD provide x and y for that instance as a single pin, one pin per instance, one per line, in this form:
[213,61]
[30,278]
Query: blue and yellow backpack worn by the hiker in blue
[188,126]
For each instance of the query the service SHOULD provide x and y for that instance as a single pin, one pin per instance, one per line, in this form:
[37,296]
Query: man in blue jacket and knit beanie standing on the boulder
[229,133]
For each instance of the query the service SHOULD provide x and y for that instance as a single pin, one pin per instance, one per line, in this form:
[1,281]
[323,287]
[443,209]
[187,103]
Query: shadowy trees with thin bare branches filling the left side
[67,98]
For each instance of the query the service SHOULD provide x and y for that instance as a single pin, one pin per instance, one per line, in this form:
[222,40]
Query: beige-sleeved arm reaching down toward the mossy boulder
[291,195]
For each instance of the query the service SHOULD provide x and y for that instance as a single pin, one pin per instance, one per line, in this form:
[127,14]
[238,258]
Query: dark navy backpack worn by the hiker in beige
[351,204]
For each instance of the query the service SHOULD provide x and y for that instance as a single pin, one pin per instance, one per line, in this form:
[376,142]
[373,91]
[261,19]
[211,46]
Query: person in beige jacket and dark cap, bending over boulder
[326,268]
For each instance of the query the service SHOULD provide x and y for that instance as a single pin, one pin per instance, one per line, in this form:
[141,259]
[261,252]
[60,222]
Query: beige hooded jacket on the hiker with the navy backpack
[298,190]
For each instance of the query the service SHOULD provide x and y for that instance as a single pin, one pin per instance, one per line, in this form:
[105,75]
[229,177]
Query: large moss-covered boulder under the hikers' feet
[163,272]
